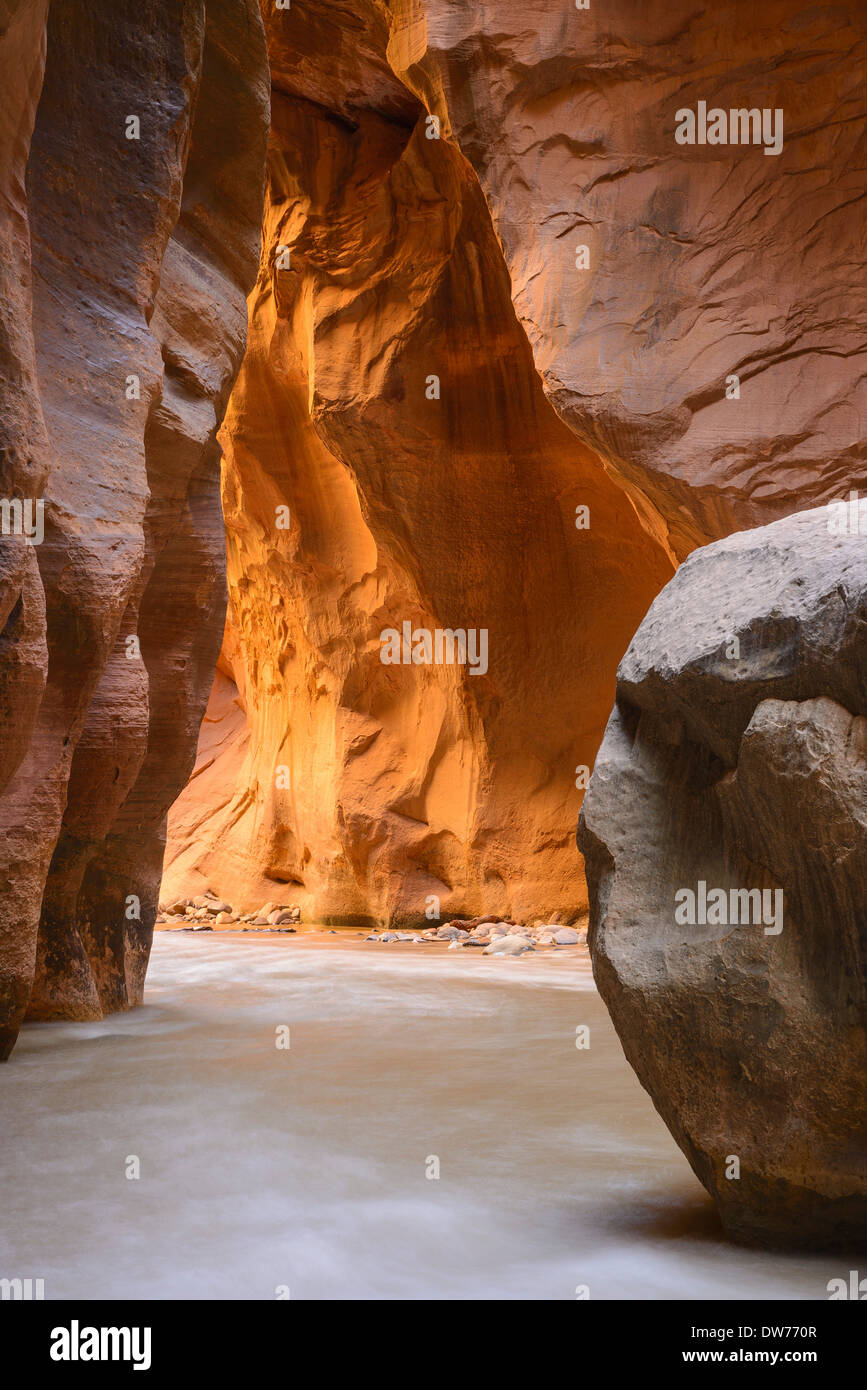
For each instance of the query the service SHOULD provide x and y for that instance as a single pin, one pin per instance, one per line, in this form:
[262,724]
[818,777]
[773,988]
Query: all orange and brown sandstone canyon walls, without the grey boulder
[513,354]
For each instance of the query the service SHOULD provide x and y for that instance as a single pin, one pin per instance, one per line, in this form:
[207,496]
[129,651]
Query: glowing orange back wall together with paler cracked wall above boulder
[670,336]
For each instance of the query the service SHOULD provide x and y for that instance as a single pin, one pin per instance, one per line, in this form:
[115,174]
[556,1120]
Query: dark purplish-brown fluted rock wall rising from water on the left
[142,252]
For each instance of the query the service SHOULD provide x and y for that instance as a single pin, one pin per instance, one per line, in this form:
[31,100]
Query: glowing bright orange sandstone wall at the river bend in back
[374,789]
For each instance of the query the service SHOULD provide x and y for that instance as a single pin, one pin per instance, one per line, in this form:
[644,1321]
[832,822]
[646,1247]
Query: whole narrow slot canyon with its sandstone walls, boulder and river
[433,522]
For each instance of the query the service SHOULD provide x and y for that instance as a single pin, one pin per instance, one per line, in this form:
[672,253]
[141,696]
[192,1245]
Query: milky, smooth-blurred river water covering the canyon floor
[306,1168]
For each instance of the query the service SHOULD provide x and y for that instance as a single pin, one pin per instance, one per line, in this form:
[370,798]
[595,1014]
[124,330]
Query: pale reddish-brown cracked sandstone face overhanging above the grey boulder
[705,261]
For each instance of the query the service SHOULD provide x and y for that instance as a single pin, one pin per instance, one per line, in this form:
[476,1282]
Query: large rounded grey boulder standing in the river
[737,760]
